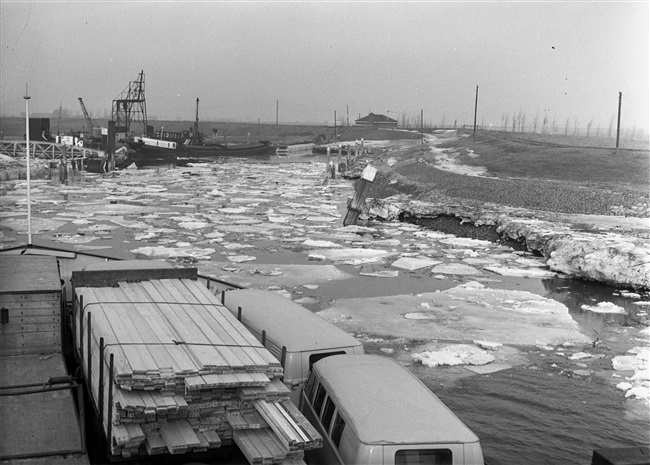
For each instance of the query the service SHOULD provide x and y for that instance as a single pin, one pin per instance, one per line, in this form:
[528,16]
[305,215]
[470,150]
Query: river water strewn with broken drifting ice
[278,225]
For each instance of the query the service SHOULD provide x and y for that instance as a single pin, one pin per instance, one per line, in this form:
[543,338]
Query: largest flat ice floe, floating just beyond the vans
[468,311]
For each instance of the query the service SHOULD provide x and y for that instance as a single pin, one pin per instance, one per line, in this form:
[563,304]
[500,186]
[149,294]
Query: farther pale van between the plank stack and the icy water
[296,336]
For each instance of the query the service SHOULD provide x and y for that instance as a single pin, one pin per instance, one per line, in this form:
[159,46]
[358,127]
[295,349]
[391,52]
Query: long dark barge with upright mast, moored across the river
[195,148]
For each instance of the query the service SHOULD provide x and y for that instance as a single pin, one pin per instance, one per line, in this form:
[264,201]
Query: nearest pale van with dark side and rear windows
[371,410]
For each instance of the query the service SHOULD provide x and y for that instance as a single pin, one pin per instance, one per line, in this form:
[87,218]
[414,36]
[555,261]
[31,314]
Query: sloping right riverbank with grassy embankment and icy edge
[585,223]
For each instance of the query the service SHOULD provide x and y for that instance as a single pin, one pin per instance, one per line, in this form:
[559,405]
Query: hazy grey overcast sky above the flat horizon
[564,60]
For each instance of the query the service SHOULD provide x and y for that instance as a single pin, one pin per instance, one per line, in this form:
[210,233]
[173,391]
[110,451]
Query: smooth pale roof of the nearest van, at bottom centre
[386,404]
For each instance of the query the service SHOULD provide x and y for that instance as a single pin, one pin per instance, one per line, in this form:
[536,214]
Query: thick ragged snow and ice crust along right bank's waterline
[598,255]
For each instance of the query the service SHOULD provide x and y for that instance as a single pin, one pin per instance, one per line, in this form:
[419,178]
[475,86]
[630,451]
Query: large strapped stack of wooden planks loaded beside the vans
[188,376]
